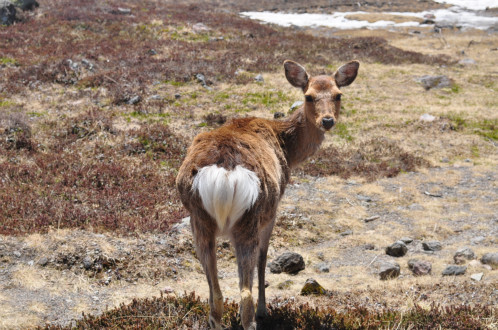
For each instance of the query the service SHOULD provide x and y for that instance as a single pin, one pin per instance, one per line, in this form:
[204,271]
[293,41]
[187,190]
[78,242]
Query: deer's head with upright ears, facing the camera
[322,93]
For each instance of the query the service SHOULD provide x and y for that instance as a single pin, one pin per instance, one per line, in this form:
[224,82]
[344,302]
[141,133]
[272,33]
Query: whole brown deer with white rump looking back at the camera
[233,178]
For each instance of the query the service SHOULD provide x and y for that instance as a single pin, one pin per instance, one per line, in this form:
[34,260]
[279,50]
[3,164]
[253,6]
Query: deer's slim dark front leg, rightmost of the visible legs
[264,241]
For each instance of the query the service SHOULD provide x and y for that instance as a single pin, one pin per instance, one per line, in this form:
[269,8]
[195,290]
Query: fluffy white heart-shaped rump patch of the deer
[226,195]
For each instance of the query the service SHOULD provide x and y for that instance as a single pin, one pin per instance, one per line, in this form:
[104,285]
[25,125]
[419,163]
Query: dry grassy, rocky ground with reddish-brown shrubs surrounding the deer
[99,102]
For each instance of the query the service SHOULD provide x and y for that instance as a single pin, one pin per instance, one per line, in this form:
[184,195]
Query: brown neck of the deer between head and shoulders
[300,138]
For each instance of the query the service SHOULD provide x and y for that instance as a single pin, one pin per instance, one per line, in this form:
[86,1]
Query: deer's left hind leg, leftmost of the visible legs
[205,245]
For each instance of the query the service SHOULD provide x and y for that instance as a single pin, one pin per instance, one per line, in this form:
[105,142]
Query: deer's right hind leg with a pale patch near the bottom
[246,252]
